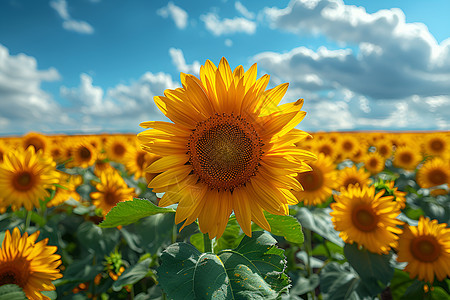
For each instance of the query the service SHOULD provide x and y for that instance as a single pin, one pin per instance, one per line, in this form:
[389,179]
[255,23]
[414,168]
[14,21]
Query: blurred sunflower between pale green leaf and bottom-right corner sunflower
[366,219]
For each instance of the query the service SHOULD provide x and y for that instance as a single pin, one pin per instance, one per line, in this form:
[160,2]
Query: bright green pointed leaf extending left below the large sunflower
[128,212]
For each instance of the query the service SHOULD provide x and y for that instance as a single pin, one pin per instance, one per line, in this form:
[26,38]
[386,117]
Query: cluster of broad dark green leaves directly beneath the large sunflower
[254,270]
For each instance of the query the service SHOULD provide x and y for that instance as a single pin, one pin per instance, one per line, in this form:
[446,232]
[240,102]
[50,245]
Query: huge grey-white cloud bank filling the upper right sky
[396,78]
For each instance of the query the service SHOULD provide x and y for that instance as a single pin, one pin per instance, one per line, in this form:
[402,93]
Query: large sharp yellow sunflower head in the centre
[230,148]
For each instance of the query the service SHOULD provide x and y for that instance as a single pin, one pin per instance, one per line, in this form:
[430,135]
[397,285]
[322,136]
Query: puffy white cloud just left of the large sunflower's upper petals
[121,107]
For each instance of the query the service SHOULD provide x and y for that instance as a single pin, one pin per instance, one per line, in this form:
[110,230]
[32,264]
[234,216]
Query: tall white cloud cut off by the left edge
[23,104]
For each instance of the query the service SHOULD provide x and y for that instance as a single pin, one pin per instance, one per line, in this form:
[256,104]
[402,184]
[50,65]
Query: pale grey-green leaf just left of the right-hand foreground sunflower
[319,221]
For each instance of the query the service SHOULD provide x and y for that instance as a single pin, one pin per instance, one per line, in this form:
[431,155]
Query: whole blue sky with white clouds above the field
[90,66]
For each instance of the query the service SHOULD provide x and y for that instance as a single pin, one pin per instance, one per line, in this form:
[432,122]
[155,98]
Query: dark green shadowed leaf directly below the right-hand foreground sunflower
[374,270]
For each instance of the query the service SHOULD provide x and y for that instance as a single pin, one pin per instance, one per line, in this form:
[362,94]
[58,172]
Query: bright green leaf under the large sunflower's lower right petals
[285,226]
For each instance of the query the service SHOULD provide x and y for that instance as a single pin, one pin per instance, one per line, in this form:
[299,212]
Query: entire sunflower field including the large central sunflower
[228,200]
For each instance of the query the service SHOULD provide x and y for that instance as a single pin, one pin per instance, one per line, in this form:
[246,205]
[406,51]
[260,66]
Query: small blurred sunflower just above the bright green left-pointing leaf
[111,190]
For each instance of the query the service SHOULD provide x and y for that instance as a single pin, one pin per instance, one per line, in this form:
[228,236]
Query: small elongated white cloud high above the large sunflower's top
[227,26]
